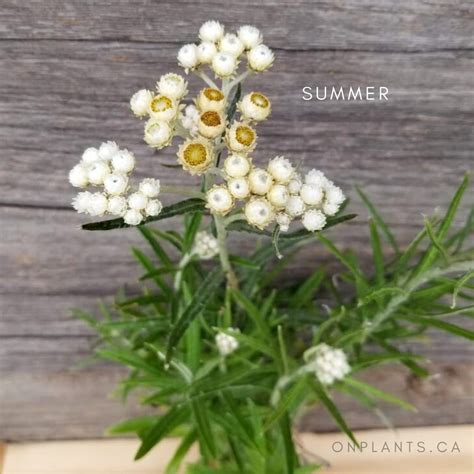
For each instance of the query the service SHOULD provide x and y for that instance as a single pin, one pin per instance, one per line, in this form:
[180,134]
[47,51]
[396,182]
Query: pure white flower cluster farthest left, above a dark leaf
[110,167]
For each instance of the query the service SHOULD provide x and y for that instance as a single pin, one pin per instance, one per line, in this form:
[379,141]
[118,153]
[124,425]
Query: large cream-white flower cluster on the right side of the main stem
[275,194]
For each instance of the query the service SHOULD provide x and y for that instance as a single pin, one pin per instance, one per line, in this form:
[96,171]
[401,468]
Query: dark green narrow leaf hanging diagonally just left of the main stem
[200,300]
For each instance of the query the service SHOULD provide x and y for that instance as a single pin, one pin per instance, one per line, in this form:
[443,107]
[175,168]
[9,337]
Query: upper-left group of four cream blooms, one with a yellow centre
[163,109]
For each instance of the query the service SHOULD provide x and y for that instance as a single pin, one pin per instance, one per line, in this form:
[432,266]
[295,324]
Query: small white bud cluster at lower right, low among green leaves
[329,364]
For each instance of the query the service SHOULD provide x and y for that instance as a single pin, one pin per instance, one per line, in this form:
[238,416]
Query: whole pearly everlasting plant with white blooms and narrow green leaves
[226,348]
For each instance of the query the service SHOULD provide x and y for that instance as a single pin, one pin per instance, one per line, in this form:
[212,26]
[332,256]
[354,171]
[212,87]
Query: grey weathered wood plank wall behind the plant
[67,70]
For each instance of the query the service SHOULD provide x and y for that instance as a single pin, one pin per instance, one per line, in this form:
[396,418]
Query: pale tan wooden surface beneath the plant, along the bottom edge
[106,456]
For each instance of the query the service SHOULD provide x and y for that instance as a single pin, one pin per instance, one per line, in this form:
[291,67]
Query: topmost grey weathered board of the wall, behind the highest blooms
[348,24]
